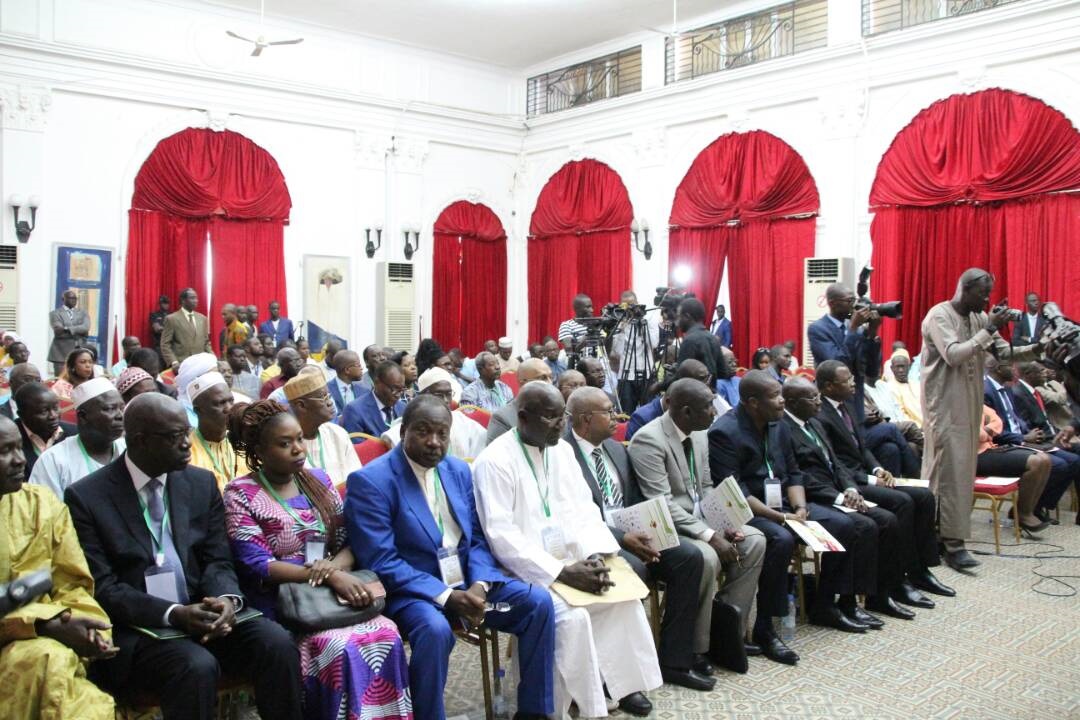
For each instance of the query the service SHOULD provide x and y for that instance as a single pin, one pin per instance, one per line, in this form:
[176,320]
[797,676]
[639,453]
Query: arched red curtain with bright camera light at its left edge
[749,198]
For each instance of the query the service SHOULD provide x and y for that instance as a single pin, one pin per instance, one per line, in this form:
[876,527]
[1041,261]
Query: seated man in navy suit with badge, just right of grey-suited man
[751,445]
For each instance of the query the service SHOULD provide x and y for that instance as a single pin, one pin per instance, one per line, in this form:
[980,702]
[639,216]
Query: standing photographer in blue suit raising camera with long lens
[849,336]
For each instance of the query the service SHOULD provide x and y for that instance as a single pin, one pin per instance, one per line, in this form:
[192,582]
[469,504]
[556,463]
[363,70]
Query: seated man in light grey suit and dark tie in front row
[671,459]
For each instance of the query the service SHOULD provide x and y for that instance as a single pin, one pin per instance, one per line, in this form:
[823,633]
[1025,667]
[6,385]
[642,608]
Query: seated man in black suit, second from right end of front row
[879,539]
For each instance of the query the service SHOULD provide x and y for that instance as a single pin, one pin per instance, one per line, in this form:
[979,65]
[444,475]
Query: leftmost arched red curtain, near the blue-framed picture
[199,181]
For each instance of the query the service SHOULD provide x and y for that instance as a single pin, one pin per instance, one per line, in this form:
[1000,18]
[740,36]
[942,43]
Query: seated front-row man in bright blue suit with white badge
[413,521]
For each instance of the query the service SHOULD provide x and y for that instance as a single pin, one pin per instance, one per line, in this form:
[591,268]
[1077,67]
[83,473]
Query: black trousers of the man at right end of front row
[916,512]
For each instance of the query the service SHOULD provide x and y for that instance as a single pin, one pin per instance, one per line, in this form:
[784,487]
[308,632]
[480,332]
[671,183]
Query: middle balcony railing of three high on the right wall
[787,30]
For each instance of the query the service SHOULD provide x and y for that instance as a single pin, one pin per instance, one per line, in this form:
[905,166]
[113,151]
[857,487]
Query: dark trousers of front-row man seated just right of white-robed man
[681,569]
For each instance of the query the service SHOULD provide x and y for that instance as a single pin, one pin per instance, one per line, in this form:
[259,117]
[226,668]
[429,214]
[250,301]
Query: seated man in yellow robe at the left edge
[47,644]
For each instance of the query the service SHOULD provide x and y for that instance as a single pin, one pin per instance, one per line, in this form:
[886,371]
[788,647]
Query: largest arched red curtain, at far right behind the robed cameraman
[967,184]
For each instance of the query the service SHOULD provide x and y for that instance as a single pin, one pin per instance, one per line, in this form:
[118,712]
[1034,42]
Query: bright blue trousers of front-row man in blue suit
[532,618]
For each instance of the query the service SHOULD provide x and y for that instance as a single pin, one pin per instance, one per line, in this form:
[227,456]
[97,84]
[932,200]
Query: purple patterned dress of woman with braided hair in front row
[350,673]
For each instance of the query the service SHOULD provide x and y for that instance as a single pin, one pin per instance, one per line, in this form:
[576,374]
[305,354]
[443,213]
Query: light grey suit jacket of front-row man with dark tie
[663,470]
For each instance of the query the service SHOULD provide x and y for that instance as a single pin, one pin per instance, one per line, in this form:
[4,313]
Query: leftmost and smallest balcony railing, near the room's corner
[579,85]
